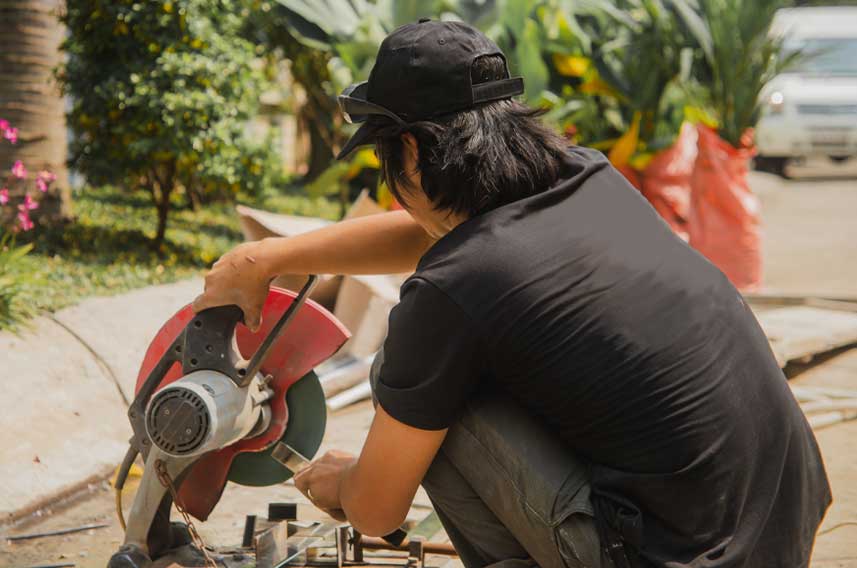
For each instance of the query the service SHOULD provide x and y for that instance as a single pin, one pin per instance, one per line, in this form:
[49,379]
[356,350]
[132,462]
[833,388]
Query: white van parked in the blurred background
[812,109]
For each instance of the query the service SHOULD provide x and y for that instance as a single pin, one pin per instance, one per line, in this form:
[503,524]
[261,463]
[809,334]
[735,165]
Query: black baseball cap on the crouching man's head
[422,70]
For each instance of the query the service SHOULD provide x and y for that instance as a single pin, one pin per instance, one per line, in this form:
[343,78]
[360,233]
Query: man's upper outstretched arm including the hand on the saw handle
[386,243]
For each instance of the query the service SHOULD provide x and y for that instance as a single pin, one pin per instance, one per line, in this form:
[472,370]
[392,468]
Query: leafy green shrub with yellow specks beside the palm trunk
[162,92]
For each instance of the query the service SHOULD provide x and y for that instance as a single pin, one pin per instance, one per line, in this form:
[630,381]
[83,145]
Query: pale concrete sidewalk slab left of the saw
[72,373]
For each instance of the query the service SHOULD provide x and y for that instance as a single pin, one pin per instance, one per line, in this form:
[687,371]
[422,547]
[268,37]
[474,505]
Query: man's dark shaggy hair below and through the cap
[478,159]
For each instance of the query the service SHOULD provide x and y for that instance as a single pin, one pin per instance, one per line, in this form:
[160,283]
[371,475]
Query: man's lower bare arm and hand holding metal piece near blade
[376,490]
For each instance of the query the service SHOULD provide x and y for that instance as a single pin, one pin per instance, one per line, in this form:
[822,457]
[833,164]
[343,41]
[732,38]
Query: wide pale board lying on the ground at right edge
[800,332]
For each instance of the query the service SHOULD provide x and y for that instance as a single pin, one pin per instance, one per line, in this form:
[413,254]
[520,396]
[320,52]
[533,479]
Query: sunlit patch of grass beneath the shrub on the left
[107,249]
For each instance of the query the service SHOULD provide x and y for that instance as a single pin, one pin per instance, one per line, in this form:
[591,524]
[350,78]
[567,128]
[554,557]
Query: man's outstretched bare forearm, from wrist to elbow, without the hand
[386,243]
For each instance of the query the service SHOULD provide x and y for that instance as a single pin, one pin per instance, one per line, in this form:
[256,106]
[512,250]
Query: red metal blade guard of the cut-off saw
[313,336]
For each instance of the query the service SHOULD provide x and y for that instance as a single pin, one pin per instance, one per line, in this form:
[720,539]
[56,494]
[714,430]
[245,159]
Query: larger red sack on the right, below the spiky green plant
[724,213]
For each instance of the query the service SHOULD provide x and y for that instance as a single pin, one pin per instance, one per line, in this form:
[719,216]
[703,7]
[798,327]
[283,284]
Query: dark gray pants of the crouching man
[509,493]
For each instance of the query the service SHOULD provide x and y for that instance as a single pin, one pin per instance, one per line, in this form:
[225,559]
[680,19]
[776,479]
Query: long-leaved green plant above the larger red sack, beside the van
[743,59]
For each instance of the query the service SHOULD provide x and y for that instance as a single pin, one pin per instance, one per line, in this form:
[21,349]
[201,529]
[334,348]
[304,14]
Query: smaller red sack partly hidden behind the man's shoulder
[665,182]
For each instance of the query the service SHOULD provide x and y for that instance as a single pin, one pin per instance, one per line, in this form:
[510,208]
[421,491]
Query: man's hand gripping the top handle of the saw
[241,277]
